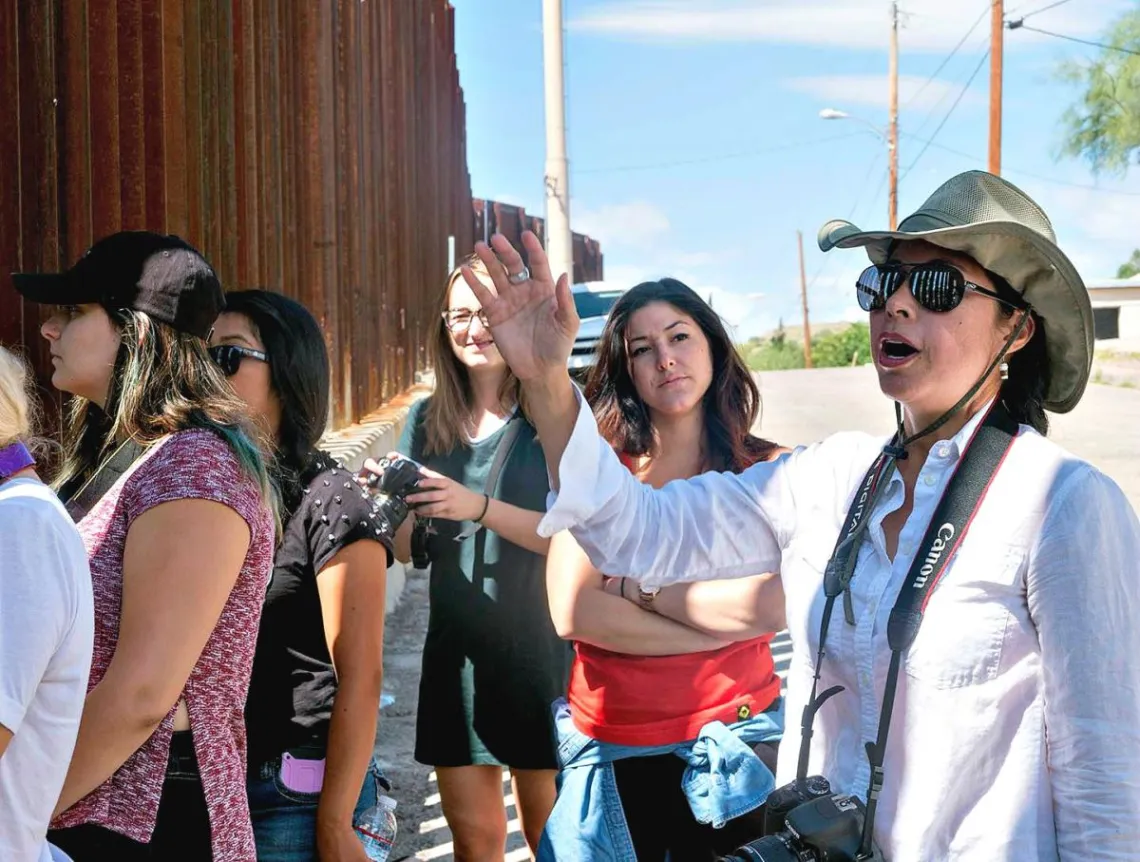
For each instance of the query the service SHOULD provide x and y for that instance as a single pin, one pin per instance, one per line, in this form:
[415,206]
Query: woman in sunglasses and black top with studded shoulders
[315,694]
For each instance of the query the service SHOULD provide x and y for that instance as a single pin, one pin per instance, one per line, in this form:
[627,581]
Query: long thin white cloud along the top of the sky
[930,26]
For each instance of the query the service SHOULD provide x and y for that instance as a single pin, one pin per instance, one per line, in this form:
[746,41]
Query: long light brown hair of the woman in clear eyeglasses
[450,406]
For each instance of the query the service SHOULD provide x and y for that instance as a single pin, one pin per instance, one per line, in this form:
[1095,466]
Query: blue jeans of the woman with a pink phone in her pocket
[286,822]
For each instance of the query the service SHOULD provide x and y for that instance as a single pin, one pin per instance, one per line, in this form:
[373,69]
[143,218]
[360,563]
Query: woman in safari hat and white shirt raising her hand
[982,604]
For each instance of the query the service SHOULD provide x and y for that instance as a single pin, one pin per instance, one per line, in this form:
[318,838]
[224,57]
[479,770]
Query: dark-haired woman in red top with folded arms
[654,669]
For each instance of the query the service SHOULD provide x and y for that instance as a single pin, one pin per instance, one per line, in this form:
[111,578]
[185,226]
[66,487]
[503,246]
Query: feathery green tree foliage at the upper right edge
[1103,127]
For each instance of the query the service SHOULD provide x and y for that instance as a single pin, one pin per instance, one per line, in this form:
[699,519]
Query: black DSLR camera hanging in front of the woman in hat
[803,823]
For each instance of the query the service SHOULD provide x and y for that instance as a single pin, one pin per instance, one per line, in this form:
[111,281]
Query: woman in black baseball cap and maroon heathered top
[169,486]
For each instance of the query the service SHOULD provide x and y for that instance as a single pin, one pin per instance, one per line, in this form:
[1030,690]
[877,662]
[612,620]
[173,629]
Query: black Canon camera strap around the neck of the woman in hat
[952,518]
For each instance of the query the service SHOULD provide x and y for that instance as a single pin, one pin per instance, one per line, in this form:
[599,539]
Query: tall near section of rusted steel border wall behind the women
[314,148]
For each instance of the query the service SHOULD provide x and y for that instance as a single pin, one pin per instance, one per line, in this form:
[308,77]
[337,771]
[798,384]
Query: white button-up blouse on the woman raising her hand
[1016,729]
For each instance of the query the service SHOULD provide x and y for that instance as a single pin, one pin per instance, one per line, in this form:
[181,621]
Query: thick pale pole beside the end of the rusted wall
[559,240]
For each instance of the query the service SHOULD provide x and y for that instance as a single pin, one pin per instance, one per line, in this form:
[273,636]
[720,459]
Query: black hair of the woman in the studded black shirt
[299,372]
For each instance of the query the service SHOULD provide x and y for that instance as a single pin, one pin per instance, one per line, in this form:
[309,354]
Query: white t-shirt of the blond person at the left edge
[47,627]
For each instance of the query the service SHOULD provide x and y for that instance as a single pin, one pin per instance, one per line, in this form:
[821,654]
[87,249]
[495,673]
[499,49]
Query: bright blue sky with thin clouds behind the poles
[697,151]
